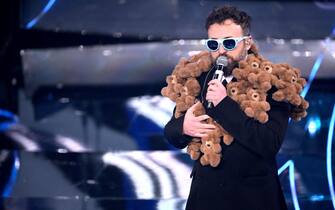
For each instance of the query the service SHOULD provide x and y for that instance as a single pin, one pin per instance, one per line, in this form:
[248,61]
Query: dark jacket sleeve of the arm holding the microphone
[263,139]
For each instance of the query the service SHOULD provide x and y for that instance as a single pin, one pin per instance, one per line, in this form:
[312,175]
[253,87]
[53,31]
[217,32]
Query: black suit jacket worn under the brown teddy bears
[246,178]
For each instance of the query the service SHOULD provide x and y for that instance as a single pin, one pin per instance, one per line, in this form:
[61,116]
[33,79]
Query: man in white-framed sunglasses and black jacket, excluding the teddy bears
[246,178]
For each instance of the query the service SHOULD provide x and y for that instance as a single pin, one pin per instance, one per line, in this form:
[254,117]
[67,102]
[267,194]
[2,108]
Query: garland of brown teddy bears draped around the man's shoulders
[255,76]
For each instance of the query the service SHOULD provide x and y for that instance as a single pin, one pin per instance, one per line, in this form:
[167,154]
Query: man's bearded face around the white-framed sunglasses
[229,29]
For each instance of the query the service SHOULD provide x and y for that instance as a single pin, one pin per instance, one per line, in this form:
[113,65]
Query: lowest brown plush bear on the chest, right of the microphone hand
[256,105]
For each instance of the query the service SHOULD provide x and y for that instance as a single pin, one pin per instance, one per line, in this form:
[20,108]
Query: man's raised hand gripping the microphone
[216,92]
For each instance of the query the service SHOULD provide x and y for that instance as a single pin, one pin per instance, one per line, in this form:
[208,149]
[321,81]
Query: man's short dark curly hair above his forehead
[220,14]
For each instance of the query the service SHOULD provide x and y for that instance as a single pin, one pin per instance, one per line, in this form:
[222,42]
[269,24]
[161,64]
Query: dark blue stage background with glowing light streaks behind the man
[81,116]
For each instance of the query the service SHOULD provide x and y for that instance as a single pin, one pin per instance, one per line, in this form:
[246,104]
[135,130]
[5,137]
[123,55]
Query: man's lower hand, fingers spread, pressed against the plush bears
[193,126]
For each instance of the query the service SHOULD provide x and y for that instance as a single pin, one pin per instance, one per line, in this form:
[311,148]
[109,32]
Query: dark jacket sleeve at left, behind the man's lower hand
[173,132]
